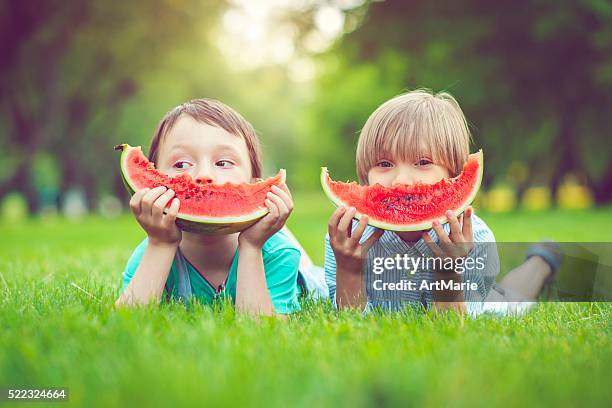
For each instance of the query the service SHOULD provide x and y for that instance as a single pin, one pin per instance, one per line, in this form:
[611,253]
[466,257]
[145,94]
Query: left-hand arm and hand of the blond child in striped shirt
[349,255]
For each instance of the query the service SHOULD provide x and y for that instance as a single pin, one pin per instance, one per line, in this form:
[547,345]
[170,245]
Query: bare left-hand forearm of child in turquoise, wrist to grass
[150,277]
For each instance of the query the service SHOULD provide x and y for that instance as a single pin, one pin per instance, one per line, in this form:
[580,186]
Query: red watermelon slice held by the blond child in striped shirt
[408,207]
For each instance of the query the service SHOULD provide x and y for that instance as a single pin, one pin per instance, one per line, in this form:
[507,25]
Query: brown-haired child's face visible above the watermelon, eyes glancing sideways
[208,153]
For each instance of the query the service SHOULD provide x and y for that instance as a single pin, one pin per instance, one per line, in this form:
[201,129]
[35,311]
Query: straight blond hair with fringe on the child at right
[414,125]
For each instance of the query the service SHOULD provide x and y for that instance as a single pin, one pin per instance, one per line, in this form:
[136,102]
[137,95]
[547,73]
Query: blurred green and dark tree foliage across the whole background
[76,78]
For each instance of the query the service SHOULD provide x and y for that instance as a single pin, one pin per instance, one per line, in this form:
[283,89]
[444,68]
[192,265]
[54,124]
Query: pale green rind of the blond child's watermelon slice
[425,225]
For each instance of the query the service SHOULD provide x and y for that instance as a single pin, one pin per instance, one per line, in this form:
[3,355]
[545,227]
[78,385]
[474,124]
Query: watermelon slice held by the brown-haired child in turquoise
[204,208]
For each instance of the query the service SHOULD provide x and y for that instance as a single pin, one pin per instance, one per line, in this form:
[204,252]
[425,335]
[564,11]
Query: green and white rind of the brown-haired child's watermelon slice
[198,224]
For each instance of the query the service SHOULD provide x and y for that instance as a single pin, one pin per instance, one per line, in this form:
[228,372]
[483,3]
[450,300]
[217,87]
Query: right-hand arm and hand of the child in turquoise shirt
[252,295]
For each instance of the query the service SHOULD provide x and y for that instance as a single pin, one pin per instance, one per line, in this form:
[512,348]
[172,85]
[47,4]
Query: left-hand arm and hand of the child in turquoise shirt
[164,237]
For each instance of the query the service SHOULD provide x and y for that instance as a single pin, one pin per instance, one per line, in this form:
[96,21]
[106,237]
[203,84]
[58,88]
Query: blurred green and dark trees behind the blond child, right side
[533,76]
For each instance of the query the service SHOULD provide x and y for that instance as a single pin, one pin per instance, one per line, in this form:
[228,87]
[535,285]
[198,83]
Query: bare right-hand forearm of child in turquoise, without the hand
[252,295]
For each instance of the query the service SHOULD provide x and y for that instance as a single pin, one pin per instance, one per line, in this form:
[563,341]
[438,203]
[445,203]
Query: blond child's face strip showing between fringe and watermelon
[389,172]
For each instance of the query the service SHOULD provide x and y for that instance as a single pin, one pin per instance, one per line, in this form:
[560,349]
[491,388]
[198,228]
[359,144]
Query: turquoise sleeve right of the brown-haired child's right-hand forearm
[281,267]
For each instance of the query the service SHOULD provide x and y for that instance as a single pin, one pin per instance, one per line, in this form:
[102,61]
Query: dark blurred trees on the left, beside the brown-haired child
[67,68]
